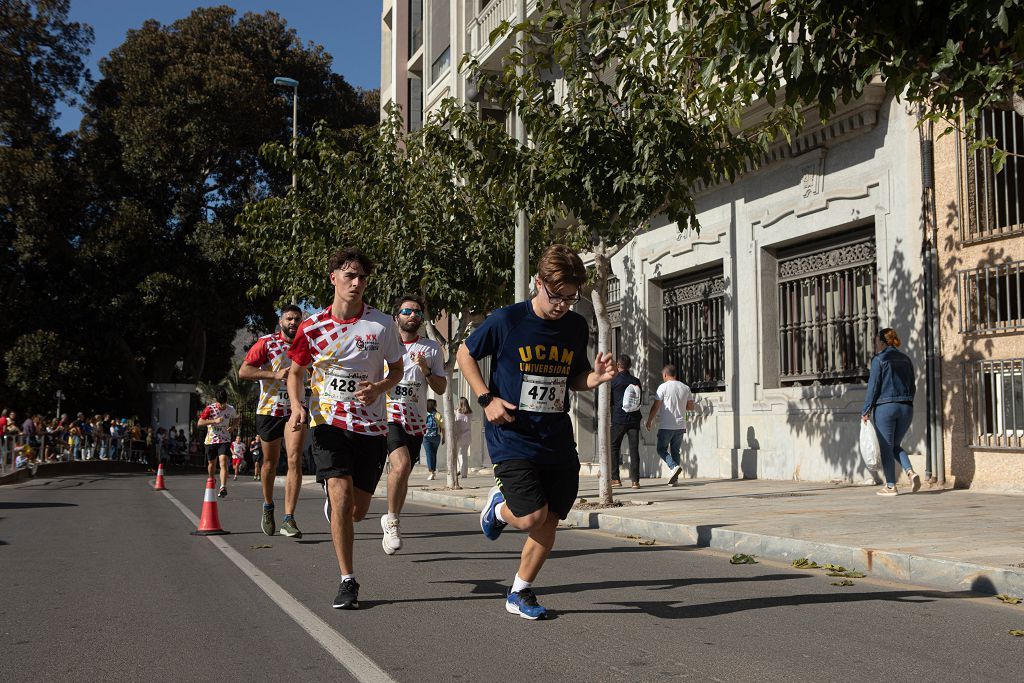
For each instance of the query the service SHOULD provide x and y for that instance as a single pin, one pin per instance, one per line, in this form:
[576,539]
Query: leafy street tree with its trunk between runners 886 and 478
[433,208]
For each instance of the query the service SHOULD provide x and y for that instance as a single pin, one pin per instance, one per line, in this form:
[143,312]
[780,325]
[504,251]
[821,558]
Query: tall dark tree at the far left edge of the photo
[41,204]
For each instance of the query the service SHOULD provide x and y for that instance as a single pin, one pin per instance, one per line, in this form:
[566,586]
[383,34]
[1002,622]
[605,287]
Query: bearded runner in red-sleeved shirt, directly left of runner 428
[268,362]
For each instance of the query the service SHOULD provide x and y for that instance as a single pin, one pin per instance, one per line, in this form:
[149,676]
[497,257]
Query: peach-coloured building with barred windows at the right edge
[980,227]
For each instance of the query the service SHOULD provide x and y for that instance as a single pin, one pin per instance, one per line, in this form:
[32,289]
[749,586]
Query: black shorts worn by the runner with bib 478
[528,487]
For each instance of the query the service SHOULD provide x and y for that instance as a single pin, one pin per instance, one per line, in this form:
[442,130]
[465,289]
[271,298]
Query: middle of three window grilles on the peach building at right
[992,298]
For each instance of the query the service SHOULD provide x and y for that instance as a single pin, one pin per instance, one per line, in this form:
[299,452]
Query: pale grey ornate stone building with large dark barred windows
[771,310]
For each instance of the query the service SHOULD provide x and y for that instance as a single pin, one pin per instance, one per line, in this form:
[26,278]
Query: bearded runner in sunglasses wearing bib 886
[424,367]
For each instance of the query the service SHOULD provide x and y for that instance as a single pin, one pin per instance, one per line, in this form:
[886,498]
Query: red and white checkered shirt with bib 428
[344,354]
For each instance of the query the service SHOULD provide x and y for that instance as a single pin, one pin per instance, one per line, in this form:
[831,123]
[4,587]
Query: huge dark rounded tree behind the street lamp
[170,142]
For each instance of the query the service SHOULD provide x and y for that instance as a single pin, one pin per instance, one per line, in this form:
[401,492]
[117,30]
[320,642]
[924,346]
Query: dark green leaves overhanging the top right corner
[953,57]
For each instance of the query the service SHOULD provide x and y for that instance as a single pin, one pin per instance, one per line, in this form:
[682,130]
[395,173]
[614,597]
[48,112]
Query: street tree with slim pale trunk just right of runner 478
[637,125]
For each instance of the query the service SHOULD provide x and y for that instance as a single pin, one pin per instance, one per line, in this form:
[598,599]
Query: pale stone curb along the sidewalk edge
[891,566]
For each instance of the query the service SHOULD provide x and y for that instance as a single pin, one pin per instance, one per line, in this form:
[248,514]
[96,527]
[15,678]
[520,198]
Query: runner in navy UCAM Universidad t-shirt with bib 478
[539,350]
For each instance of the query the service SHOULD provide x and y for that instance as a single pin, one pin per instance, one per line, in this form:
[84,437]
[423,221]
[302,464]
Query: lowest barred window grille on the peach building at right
[996,403]
